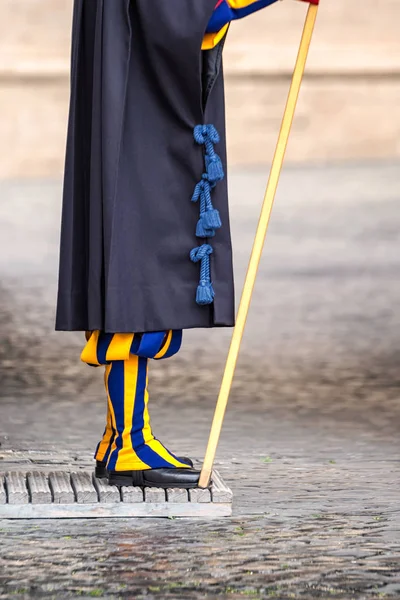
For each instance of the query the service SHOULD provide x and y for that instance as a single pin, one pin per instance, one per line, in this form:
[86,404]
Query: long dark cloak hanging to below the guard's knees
[140,84]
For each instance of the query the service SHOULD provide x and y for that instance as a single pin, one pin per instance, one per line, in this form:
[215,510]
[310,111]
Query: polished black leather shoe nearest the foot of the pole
[163,478]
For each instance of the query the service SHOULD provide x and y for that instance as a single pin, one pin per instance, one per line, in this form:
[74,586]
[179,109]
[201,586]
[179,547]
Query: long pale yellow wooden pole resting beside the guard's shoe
[258,246]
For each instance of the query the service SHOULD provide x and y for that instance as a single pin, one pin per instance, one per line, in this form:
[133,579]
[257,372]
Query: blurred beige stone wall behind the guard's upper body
[349,107]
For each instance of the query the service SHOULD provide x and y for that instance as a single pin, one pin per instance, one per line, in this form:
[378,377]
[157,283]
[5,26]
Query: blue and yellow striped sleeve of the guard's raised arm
[226,11]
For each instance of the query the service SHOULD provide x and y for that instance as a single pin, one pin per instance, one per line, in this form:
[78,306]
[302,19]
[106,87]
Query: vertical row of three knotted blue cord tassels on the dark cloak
[209,220]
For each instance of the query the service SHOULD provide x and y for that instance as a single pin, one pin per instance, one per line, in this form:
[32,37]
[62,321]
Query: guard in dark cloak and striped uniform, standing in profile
[145,240]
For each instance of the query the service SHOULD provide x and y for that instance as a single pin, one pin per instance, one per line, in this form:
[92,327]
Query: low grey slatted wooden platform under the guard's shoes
[78,494]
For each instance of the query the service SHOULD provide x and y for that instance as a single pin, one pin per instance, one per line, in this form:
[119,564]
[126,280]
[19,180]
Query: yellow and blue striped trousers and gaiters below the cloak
[128,442]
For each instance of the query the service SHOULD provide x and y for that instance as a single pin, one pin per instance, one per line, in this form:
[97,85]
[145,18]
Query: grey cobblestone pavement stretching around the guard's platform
[311,441]
